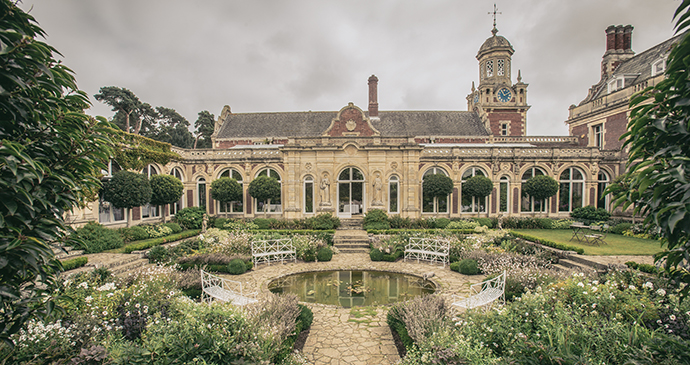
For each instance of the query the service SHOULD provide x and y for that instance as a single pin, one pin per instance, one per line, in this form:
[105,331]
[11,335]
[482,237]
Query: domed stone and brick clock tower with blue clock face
[501,104]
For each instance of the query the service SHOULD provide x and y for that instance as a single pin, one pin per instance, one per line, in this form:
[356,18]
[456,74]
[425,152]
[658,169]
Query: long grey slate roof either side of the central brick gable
[314,124]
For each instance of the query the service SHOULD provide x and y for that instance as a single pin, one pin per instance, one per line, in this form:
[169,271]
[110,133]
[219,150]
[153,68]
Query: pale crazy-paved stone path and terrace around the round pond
[359,335]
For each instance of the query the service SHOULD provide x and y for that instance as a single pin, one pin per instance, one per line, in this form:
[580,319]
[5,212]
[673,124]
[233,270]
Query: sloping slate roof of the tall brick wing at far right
[640,64]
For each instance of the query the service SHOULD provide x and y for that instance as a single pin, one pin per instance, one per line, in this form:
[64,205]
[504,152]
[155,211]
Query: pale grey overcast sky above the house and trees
[298,55]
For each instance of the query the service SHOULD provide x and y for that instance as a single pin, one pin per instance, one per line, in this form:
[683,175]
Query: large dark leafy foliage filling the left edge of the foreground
[51,155]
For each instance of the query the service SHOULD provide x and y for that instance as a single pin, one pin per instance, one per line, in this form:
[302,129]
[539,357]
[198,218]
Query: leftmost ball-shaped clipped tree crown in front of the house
[127,189]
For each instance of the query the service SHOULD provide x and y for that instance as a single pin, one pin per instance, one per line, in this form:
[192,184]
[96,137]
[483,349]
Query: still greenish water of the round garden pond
[352,288]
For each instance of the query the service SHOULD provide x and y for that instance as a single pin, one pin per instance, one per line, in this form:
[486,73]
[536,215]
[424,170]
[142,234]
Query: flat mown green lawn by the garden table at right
[615,244]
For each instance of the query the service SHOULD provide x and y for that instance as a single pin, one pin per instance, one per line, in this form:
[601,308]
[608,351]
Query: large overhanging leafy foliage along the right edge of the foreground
[659,157]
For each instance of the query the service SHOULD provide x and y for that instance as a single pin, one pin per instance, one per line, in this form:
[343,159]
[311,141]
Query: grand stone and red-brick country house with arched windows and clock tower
[349,161]
